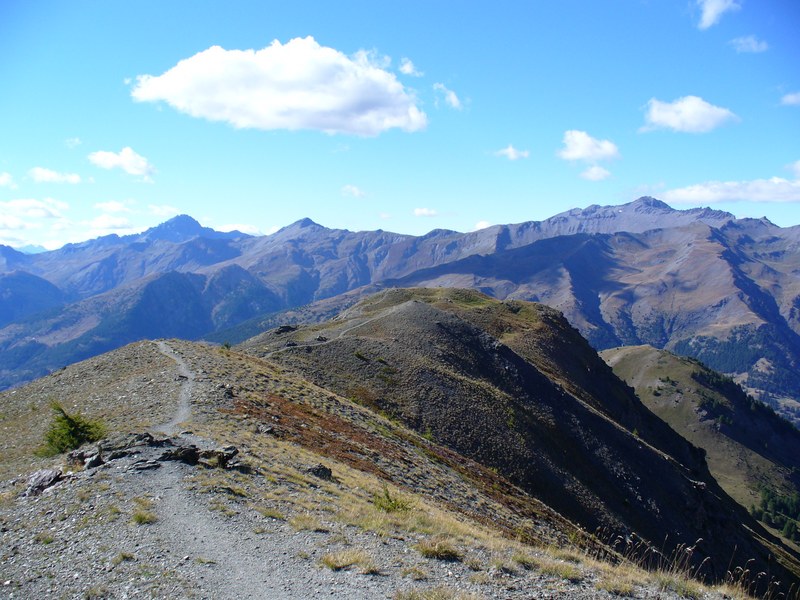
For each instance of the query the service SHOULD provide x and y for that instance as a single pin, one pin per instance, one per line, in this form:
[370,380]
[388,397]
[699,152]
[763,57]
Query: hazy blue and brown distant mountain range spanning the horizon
[697,282]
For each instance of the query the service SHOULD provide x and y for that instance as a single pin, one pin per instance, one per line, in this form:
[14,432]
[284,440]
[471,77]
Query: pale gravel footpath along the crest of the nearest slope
[223,556]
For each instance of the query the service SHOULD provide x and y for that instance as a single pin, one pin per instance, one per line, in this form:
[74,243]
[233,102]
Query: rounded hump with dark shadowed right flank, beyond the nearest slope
[514,387]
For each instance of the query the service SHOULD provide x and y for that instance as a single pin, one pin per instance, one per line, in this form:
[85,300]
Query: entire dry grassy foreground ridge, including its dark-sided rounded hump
[445,399]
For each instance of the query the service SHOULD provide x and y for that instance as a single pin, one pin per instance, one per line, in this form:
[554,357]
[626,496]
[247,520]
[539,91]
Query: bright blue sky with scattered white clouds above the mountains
[116,116]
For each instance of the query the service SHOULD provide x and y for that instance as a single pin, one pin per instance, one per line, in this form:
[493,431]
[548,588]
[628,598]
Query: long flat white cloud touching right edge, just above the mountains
[775,189]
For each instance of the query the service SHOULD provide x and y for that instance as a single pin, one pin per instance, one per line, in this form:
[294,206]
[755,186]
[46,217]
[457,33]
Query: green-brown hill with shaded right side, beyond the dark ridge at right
[748,448]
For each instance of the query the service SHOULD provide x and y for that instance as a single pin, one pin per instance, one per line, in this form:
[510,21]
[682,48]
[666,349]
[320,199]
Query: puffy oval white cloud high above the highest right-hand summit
[689,114]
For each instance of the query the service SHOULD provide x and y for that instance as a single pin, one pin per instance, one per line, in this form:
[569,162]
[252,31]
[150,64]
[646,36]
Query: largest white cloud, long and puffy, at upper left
[297,85]
